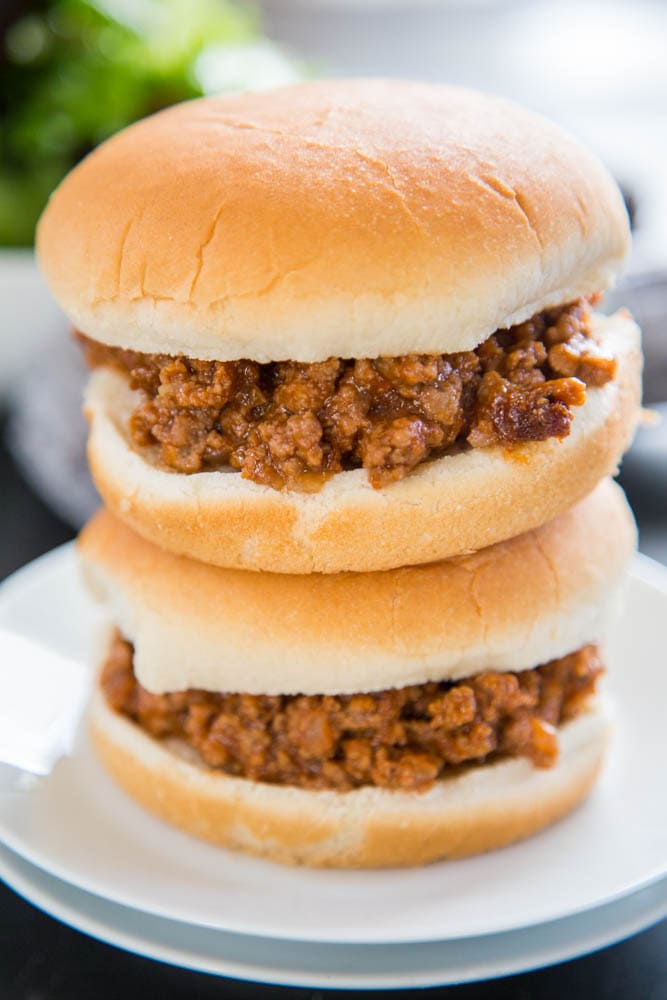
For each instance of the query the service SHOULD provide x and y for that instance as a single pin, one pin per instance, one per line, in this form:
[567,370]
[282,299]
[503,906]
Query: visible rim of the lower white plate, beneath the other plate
[268,960]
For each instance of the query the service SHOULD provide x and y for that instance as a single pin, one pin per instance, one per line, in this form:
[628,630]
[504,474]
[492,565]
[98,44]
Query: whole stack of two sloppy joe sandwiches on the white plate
[352,414]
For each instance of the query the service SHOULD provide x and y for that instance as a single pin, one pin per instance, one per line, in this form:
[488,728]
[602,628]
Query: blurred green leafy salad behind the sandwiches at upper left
[72,72]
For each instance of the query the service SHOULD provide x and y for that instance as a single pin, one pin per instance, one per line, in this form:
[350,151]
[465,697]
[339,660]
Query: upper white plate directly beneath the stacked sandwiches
[78,826]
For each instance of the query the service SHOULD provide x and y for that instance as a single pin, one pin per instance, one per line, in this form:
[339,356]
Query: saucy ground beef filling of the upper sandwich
[292,425]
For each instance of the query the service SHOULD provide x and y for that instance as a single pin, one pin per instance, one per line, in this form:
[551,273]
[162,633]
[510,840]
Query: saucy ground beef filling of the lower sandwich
[404,738]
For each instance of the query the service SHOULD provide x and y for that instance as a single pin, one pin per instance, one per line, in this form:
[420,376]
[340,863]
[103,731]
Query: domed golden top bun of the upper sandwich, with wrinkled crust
[341,218]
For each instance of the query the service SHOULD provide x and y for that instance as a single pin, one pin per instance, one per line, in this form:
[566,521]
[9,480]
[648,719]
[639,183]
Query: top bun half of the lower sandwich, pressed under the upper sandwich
[511,607]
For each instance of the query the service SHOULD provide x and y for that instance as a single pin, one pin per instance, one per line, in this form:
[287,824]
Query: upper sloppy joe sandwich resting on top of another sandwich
[348,325]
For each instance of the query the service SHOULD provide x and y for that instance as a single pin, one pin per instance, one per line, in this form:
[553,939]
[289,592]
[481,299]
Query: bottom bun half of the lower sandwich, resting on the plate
[484,808]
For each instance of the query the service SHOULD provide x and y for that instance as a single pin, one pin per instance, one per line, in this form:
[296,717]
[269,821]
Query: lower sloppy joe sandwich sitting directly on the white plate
[378,719]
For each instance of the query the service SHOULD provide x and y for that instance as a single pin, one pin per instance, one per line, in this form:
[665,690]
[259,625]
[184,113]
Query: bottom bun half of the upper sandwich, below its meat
[456,504]
